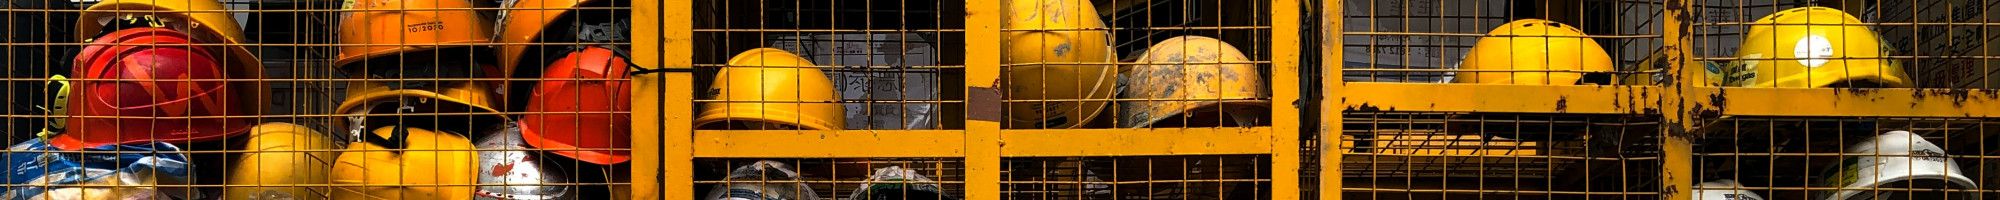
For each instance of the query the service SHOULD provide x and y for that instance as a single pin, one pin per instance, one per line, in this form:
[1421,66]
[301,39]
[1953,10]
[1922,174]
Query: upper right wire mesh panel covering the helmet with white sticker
[1847,43]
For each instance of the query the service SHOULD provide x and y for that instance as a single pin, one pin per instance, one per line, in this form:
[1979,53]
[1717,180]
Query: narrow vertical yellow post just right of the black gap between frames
[1331,121]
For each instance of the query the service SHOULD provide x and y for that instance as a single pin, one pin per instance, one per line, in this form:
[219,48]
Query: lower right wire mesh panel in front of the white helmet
[1845,159]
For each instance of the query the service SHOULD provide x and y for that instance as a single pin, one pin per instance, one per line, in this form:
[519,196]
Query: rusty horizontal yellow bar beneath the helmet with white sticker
[1859,103]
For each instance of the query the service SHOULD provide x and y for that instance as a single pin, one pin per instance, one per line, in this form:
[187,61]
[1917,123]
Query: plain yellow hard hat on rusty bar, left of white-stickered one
[1537,53]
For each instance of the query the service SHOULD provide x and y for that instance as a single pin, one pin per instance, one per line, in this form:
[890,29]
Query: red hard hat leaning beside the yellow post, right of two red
[583,103]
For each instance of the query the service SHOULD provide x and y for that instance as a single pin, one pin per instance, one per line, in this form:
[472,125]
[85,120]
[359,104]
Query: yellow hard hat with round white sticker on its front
[1815,49]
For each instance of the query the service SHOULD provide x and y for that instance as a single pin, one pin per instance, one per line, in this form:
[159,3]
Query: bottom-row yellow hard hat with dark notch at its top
[407,165]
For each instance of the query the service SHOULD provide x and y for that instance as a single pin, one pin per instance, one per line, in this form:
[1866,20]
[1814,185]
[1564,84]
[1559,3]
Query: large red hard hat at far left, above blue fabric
[149,85]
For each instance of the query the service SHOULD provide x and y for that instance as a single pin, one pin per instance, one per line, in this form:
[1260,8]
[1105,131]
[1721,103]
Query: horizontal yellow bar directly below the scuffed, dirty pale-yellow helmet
[1141,143]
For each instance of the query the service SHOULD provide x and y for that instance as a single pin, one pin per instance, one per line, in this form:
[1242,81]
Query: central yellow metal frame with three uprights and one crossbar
[663,131]
